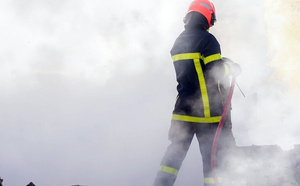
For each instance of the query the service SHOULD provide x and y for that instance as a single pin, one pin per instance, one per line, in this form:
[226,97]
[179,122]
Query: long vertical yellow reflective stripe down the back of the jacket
[202,88]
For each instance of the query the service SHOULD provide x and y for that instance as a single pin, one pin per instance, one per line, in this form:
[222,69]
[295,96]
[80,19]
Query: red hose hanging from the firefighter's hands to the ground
[218,132]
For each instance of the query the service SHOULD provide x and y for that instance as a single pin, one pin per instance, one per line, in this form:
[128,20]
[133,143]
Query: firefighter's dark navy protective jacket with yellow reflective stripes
[200,72]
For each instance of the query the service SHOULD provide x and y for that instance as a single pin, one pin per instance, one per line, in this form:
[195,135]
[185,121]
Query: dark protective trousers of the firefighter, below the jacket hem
[181,135]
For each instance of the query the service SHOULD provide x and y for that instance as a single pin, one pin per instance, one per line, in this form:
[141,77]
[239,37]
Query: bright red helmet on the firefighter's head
[204,7]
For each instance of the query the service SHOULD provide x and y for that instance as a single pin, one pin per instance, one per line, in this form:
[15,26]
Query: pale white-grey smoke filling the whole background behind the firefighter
[88,87]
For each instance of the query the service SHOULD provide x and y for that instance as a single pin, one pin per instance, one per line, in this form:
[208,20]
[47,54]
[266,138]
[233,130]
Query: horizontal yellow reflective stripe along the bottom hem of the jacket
[194,119]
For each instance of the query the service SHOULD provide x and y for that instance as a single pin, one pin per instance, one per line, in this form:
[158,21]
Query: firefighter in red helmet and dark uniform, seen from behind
[203,84]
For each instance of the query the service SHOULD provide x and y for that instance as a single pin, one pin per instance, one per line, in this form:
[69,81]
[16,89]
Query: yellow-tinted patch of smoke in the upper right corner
[281,18]
